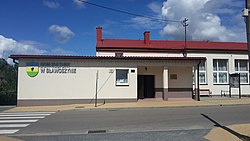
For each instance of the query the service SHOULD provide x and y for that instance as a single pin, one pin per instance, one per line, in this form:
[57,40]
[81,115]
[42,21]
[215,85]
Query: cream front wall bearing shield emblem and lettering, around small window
[81,85]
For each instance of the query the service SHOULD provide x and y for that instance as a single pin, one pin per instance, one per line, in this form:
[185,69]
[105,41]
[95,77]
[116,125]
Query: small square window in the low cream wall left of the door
[122,77]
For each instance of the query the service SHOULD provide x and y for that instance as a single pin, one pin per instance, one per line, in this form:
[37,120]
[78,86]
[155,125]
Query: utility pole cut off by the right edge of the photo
[247,20]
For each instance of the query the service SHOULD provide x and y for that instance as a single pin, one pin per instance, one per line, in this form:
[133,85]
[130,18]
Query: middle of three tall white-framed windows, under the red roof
[220,71]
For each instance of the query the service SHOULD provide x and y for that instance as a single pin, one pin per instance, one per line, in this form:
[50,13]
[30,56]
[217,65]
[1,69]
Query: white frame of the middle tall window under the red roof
[218,72]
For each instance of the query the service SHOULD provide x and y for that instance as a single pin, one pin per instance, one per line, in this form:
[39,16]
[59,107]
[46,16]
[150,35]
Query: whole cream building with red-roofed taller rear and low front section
[129,70]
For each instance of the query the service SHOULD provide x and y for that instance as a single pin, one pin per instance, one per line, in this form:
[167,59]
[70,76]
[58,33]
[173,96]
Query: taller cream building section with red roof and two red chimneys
[222,59]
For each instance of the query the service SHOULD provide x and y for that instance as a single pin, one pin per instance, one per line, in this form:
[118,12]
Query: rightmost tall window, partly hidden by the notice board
[241,67]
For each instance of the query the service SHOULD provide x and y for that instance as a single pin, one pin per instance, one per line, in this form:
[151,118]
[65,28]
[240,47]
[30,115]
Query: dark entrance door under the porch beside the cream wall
[145,86]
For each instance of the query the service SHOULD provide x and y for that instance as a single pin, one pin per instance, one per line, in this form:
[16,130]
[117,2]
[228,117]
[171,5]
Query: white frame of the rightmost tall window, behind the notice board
[237,70]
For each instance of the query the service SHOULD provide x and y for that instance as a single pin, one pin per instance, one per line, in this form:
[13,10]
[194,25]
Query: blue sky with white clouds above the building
[67,27]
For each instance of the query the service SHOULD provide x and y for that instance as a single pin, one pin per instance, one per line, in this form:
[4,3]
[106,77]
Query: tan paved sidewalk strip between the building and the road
[145,104]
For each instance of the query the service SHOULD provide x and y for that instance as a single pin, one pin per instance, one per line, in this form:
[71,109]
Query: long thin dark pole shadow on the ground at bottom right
[240,136]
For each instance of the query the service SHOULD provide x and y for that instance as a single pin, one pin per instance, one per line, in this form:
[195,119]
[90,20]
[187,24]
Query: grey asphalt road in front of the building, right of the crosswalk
[186,123]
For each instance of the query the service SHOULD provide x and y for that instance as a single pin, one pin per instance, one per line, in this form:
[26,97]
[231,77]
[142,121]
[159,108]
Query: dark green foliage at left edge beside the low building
[8,81]
